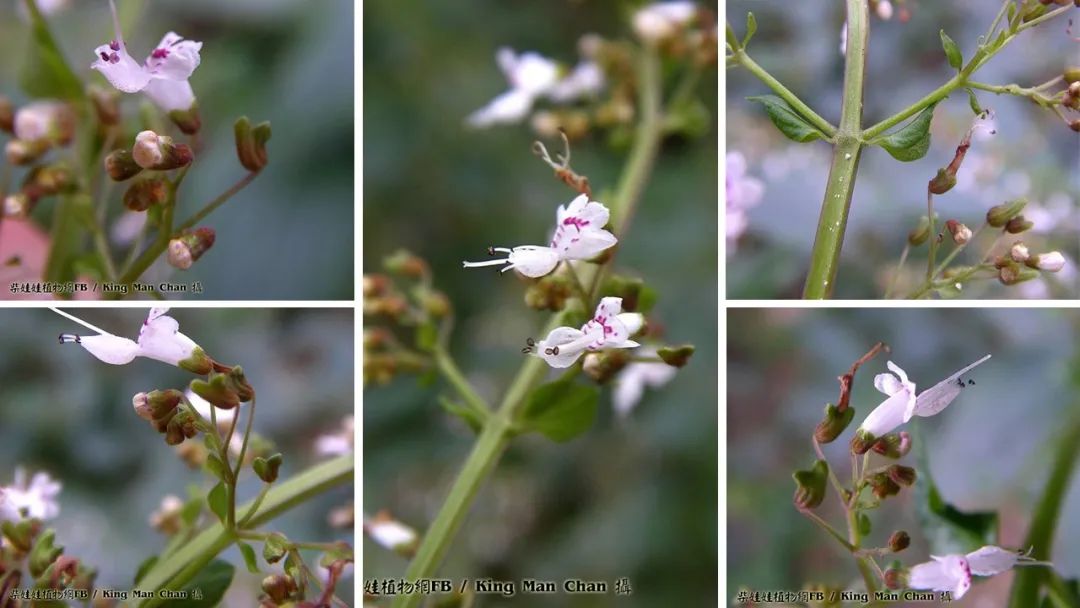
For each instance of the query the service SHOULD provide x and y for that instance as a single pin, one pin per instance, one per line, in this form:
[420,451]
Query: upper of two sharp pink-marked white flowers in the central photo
[579,235]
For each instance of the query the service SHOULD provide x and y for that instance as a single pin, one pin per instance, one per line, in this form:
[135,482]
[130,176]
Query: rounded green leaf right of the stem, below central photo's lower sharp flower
[562,411]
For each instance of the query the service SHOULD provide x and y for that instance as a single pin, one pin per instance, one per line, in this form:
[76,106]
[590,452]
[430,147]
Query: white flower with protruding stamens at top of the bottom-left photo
[159,340]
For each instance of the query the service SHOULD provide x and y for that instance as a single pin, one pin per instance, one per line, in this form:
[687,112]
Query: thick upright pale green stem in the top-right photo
[833,222]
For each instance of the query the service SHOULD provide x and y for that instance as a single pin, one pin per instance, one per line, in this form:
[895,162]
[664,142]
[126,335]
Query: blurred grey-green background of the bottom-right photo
[990,451]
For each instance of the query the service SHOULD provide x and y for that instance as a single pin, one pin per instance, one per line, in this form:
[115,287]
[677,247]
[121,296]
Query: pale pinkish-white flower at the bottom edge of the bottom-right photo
[953,573]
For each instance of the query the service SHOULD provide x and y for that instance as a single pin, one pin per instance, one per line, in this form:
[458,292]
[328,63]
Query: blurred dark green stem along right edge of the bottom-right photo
[1041,536]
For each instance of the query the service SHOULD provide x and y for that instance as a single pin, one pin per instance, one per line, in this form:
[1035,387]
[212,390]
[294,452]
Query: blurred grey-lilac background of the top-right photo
[1034,154]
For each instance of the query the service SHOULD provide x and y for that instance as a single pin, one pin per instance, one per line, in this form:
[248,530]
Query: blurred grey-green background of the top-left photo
[290,235]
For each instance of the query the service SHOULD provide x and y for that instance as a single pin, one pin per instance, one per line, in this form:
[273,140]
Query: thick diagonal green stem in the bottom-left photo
[190,560]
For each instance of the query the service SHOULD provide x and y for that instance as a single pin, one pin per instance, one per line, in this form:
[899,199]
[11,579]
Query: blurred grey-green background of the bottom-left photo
[64,412]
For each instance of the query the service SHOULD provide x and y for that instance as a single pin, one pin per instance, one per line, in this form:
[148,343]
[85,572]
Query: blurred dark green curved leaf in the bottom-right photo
[949,530]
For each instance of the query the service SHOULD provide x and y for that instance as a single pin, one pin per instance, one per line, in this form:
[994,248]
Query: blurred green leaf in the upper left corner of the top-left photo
[46,74]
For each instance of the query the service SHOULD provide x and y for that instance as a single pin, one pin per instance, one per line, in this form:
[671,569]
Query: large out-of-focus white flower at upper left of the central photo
[531,76]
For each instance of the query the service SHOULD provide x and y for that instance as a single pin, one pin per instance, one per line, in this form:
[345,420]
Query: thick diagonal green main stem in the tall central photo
[499,427]
